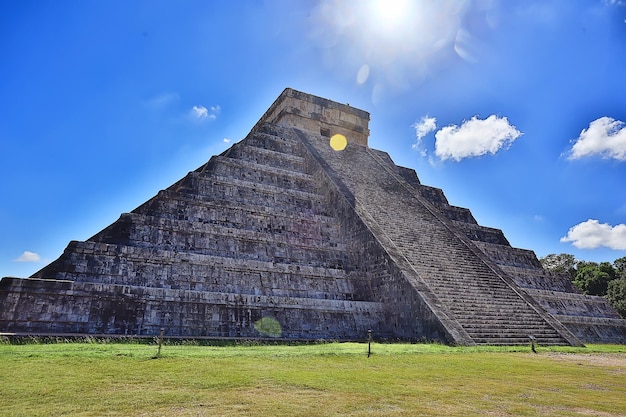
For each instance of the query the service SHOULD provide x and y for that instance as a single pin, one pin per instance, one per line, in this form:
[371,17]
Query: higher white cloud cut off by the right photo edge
[605,137]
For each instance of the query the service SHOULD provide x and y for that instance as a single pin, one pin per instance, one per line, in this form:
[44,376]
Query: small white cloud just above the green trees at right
[593,234]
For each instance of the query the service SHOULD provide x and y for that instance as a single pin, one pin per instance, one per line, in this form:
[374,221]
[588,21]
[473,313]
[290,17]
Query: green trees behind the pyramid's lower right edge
[604,279]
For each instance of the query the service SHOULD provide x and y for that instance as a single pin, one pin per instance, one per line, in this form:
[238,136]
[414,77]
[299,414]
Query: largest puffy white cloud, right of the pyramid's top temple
[475,137]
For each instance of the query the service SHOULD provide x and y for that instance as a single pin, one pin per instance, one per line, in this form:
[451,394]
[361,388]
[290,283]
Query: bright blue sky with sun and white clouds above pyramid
[516,109]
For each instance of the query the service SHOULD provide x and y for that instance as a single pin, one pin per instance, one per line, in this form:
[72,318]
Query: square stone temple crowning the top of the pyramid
[318,116]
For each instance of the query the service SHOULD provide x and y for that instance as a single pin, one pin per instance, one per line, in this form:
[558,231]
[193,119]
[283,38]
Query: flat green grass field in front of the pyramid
[334,379]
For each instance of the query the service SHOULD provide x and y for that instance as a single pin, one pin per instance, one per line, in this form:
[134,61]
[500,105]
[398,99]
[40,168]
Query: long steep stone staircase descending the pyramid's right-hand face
[469,289]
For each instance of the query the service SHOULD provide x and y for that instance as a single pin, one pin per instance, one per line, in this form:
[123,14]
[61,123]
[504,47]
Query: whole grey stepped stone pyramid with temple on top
[282,236]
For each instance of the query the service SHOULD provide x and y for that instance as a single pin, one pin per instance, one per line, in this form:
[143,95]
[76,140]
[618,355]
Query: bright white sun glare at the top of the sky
[389,45]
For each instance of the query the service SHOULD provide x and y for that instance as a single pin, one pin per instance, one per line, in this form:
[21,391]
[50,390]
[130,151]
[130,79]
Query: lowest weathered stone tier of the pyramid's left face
[89,308]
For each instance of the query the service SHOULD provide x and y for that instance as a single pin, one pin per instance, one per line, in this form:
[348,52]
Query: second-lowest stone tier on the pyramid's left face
[100,262]
